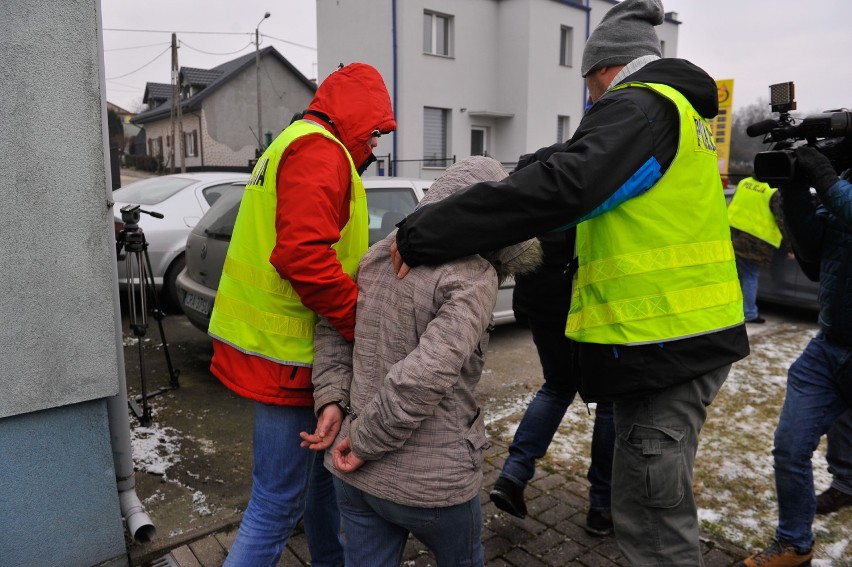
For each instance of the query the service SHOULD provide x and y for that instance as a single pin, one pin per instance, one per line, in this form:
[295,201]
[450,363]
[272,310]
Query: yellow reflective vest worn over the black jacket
[661,265]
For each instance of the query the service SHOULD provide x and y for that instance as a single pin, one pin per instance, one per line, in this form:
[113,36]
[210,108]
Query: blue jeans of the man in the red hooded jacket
[287,483]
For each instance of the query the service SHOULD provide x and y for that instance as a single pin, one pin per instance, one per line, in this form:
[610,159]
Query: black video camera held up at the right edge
[829,132]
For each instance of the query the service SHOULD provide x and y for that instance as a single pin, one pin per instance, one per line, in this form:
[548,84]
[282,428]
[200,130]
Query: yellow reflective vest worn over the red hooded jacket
[256,311]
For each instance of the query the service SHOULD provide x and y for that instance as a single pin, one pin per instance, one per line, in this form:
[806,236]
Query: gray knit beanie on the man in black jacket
[625,33]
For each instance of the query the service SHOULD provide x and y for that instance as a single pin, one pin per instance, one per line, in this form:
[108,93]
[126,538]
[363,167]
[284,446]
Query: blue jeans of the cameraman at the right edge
[812,405]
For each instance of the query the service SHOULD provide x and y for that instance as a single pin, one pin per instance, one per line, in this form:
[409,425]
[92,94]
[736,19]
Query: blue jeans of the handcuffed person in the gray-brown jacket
[377,529]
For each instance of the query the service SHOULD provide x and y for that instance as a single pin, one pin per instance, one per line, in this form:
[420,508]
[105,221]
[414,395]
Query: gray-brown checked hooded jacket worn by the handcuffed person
[419,349]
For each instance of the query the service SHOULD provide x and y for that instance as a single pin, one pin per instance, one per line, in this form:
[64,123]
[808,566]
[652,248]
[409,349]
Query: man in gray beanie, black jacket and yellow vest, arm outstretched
[656,308]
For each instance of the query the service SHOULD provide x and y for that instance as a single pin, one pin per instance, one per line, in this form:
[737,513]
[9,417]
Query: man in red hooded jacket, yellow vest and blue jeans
[299,235]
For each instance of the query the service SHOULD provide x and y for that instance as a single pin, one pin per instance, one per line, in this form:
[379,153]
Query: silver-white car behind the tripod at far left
[182,199]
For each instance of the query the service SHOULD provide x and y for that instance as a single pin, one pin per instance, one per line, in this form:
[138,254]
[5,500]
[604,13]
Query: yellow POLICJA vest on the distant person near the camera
[749,211]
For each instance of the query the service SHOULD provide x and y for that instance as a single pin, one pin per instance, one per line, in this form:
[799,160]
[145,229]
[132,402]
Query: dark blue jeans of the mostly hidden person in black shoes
[545,413]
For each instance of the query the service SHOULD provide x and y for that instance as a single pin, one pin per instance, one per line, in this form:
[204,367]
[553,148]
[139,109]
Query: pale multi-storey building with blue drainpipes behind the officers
[495,77]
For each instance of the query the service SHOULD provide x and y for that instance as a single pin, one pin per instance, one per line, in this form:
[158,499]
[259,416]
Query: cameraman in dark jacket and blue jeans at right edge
[819,382]
